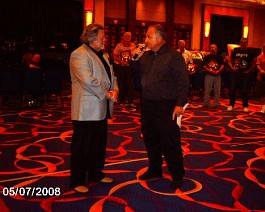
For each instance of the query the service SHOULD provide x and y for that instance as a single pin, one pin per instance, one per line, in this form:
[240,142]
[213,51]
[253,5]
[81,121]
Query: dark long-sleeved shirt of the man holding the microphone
[164,76]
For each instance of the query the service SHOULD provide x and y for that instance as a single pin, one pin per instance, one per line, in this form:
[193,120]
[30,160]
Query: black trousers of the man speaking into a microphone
[161,135]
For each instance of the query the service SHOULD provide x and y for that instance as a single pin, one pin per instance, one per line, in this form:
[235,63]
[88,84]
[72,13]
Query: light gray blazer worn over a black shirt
[90,83]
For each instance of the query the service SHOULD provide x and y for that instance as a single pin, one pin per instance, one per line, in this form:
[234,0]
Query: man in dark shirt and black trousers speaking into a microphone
[165,85]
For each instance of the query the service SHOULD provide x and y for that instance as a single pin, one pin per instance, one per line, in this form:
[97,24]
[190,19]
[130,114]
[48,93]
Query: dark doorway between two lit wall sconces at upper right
[225,30]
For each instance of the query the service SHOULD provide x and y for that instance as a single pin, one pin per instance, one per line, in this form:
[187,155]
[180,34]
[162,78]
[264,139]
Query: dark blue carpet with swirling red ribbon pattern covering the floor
[224,155]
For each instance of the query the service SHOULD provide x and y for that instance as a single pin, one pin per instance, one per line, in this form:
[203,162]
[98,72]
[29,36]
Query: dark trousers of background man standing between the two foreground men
[126,85]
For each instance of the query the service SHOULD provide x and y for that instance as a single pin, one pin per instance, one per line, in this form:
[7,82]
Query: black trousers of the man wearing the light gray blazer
[88,151]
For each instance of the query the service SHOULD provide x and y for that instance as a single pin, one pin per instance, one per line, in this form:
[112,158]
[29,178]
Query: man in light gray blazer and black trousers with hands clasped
[94,90]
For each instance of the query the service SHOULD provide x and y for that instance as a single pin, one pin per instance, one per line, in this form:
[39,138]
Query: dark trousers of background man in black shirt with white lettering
[239,81]
